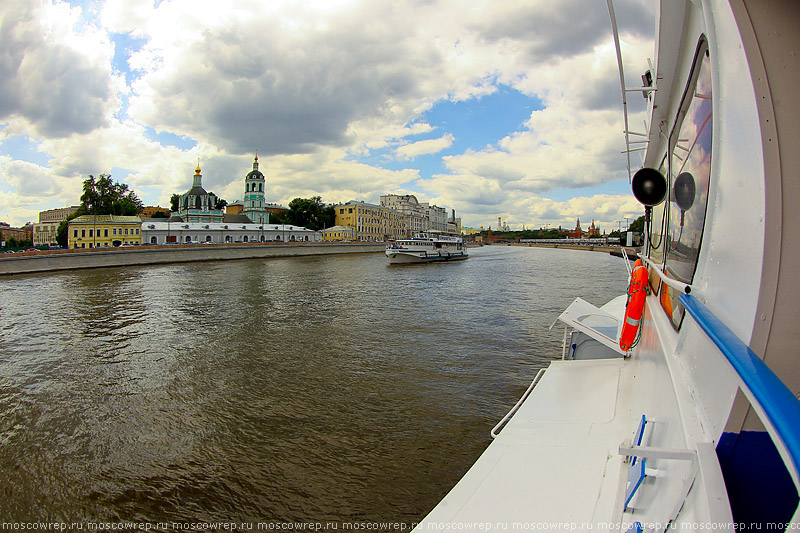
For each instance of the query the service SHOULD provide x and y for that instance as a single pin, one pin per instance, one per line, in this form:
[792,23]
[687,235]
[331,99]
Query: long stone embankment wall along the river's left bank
[57,260]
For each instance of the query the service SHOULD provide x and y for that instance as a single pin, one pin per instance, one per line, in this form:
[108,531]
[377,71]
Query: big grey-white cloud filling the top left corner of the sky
[52,78]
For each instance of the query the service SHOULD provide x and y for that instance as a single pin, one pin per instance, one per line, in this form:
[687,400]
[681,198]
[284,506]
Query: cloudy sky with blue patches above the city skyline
[489,107]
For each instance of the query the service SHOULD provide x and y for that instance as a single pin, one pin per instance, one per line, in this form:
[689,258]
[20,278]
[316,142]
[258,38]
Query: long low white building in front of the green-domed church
[169,232]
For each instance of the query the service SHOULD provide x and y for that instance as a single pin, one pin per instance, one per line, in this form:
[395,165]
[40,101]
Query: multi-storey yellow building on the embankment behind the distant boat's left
[372,222]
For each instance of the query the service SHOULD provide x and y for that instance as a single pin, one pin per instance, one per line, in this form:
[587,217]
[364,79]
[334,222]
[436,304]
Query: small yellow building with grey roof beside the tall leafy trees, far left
[104,231]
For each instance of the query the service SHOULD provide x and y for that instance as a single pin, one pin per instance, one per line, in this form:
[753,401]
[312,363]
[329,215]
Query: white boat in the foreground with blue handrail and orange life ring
[693,424]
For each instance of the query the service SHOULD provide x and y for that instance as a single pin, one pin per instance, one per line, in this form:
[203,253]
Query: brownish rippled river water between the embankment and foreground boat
[321,389]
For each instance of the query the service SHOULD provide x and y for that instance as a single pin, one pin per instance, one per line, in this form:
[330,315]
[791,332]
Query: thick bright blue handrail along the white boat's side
[776,405]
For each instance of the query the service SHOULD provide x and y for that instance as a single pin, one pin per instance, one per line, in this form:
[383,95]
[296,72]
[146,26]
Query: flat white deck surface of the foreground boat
[563,441]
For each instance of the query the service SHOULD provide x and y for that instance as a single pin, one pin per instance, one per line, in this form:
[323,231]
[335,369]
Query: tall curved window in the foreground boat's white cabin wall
[690,171]
